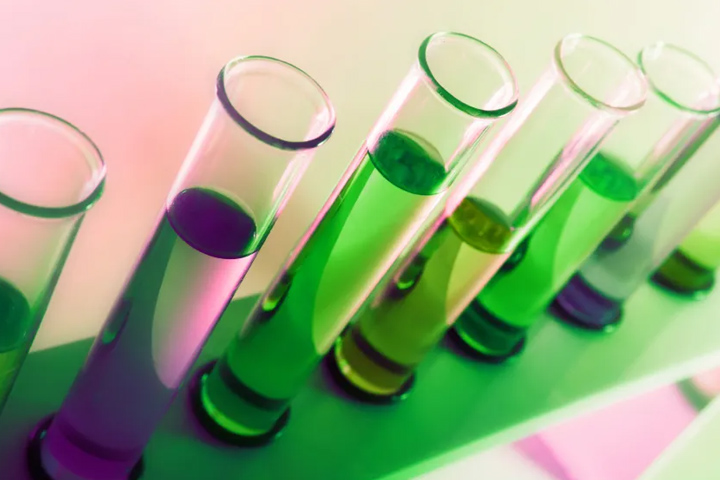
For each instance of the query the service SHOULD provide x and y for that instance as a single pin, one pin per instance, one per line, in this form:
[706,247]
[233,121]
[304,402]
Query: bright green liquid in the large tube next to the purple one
[365,228]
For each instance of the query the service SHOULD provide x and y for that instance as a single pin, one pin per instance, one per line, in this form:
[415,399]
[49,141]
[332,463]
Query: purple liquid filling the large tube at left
[188,273]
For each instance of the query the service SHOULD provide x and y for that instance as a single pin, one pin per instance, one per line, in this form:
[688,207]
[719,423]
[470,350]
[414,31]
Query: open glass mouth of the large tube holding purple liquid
[276,102]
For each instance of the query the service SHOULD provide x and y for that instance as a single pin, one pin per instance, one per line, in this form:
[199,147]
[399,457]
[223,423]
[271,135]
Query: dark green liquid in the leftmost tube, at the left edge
[16,321]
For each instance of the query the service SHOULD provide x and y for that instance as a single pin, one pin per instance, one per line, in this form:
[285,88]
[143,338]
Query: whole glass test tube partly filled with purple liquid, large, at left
[252,148]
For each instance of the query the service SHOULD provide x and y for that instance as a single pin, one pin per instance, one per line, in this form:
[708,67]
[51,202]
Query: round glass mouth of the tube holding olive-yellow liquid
[600,74]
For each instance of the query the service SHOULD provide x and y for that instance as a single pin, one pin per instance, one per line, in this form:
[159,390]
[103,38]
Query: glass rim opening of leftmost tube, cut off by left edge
[48,167]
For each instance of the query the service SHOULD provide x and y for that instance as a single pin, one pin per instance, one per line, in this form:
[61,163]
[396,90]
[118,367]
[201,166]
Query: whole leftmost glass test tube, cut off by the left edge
[51,174]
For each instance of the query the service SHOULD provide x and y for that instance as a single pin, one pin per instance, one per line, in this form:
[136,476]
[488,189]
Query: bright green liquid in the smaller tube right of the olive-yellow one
[562,240]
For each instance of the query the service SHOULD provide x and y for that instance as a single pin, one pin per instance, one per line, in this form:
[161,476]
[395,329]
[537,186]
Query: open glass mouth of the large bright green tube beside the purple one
[469,74]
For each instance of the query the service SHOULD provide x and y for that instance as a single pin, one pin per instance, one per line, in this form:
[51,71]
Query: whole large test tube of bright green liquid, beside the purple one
[457,88]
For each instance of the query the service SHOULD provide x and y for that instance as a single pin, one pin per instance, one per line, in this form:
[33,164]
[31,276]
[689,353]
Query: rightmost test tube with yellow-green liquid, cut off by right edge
[690,270]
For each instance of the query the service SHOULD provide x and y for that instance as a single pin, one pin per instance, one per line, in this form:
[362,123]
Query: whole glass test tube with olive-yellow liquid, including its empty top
[540,150]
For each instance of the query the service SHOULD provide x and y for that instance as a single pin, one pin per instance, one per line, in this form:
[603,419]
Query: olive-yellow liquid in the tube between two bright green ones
[395,332]
